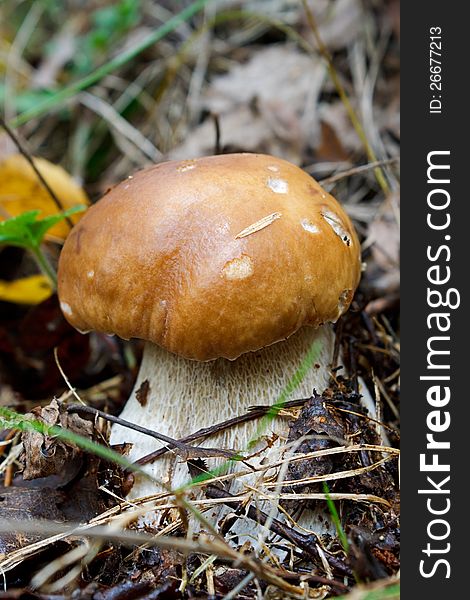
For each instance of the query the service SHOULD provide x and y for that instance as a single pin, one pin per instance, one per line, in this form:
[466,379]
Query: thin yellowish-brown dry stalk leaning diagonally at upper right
[344,97]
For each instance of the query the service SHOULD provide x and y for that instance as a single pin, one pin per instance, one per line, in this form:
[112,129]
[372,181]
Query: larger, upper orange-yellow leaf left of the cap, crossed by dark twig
[21,190]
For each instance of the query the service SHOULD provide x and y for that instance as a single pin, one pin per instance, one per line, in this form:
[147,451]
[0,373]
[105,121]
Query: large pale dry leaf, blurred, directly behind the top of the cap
[267,104]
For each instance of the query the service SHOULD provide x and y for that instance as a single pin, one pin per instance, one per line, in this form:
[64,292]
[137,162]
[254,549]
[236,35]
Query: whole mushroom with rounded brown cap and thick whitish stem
[230,267]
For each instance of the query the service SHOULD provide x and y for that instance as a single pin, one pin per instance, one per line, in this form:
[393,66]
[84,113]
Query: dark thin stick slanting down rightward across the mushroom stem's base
[306,542]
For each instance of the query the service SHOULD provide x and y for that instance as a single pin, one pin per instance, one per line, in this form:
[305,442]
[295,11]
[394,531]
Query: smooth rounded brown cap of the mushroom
[211,257]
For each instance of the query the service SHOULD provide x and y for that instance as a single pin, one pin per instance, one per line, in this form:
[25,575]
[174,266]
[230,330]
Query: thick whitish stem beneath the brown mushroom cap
[184,396]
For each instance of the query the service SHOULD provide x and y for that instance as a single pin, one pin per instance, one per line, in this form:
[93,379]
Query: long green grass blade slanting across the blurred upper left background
[121,59]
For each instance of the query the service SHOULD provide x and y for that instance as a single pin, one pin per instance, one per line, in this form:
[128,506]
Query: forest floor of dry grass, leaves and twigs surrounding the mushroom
[106,90]
